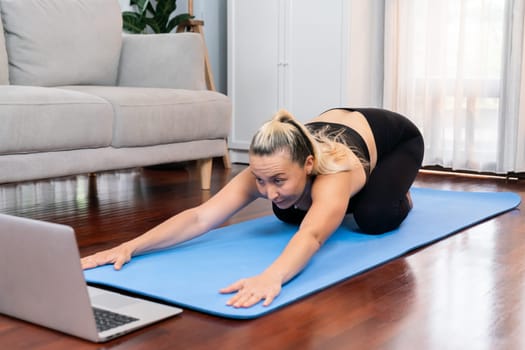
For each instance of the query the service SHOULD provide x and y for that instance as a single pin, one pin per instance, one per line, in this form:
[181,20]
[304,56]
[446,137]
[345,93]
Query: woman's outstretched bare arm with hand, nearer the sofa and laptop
[184,226]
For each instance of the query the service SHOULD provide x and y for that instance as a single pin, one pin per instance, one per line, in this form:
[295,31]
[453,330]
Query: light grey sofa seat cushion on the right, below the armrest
[151,116]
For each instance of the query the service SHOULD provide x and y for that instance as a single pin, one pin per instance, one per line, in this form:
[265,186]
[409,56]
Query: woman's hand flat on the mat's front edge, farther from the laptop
[252,290]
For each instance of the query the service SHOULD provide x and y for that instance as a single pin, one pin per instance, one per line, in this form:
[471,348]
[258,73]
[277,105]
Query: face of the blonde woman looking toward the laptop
[280,179]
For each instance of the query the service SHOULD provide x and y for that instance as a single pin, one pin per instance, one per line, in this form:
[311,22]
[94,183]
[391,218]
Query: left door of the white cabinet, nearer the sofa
[253,66]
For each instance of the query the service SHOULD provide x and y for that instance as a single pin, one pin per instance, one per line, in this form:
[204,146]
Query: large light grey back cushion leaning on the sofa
[59,42]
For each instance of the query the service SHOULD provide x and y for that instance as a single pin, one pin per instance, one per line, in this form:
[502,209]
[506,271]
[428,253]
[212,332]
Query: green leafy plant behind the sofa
[155,15]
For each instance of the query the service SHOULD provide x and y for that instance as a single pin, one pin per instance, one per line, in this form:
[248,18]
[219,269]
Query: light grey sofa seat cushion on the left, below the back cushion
[48,119]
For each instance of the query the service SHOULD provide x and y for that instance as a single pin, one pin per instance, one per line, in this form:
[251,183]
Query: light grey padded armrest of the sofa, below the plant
[163,61]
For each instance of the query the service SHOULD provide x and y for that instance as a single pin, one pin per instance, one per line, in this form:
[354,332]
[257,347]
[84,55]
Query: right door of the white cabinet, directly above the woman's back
[315,49]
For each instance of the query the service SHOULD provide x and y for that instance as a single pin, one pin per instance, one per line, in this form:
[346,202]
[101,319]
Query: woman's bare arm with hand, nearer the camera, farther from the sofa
[330,196]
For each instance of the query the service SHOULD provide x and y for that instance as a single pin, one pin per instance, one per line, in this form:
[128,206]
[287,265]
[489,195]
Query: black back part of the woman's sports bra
[351,138]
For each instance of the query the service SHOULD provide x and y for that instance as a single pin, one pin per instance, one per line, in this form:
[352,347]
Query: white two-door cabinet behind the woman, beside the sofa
[284,54]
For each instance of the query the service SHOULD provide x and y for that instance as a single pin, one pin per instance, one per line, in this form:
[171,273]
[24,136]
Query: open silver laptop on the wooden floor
[41,281]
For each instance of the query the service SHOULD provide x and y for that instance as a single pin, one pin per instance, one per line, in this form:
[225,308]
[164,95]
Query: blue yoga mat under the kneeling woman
[191,274]
